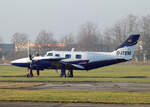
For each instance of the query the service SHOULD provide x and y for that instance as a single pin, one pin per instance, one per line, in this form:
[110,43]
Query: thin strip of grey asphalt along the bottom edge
[39,104]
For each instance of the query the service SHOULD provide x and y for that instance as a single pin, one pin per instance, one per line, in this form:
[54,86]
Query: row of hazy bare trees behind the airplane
[91,38]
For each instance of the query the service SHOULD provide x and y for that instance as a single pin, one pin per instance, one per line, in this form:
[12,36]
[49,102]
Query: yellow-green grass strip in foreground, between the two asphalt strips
[75,96]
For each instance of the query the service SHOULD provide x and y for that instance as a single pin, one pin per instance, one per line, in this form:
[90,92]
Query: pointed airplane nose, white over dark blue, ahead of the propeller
[23,62]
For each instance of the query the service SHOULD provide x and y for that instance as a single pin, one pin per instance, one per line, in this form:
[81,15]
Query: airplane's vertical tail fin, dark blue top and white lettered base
[126,50]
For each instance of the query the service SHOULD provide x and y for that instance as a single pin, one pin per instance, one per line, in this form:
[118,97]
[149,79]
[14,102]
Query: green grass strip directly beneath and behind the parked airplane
[117,73]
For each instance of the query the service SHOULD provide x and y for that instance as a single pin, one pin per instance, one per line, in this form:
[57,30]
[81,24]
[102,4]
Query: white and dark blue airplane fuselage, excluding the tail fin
[84,60]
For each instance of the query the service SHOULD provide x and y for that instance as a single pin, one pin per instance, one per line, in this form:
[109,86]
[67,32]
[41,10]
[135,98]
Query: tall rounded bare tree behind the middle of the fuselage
[88,37]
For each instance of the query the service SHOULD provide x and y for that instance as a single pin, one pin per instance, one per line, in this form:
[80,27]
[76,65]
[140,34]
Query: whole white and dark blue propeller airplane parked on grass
[73,60]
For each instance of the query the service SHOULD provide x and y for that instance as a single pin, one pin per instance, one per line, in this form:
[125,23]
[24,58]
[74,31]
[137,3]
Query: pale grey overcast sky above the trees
[63,16]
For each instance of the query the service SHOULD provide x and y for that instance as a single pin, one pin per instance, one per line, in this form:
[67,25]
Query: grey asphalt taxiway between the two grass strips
[96,86]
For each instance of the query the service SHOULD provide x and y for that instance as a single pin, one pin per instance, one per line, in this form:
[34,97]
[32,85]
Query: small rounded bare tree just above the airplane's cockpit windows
[44,40]
